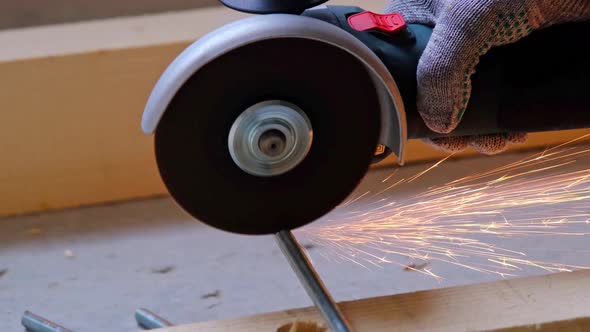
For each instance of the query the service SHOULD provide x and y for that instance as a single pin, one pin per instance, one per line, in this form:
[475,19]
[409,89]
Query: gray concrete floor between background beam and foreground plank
[90,268]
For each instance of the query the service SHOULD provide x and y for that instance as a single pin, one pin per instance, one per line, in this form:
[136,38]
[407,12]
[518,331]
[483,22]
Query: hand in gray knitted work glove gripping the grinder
[463,31]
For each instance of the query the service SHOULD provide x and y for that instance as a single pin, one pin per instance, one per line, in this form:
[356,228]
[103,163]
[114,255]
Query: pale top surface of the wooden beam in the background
[112,35]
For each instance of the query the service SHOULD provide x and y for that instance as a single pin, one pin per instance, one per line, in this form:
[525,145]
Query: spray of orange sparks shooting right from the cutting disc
[460,221]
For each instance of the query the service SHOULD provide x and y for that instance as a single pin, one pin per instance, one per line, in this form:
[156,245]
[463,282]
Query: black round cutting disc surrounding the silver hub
[328,84]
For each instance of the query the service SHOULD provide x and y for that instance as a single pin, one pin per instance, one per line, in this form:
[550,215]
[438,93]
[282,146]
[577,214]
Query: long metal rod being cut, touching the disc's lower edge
[311,281]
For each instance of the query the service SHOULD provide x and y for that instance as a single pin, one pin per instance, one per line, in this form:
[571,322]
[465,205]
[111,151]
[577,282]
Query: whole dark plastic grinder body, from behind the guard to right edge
[540,83]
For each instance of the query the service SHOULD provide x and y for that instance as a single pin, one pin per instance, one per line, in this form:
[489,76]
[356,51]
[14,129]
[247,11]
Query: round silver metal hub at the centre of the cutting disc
[270,138]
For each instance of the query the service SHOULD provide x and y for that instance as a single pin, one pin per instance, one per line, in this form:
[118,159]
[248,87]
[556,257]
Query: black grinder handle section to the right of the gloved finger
[540,83]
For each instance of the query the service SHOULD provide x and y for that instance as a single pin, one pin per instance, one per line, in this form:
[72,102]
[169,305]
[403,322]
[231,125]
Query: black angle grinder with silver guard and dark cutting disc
[270,122]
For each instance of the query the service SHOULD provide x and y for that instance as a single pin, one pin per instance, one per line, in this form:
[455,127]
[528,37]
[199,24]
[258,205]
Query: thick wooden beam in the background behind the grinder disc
[72,96]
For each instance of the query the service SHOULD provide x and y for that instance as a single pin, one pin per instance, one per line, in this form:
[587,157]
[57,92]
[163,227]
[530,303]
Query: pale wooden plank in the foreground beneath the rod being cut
[542,302]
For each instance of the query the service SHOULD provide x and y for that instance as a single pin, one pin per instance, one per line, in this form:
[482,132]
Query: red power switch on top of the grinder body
[388,23]
